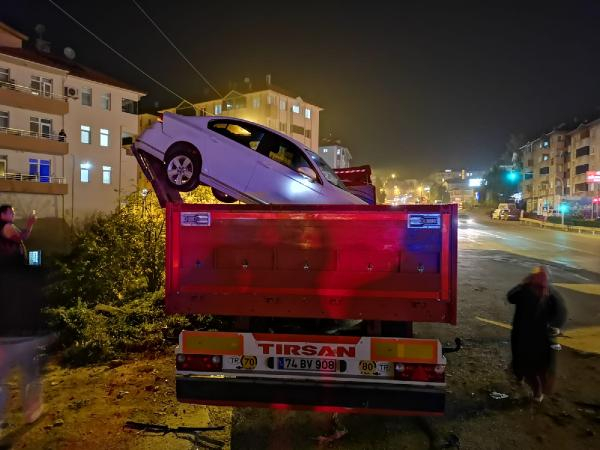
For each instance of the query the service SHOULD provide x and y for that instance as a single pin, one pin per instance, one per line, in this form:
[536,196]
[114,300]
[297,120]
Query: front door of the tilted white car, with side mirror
[276,178]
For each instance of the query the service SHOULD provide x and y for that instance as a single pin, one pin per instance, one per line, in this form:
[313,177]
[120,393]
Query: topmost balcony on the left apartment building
[31,99]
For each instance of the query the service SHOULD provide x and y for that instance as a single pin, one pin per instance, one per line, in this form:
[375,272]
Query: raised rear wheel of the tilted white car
[182,165]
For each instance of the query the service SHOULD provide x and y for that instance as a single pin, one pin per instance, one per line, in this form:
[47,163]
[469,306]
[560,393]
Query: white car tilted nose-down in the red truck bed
[241,160]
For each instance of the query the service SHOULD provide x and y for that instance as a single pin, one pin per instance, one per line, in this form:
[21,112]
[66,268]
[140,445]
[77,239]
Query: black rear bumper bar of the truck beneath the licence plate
[322,396]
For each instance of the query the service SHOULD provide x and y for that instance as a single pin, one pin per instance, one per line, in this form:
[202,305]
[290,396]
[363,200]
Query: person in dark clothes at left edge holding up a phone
[20,315]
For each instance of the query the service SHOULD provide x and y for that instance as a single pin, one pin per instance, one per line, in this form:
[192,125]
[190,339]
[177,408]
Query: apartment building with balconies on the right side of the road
[555,166]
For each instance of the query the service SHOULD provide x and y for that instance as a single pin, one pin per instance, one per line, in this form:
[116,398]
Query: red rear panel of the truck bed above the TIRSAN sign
[335,262]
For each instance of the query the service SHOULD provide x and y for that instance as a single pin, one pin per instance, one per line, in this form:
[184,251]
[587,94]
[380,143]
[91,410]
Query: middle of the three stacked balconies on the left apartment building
[30,141]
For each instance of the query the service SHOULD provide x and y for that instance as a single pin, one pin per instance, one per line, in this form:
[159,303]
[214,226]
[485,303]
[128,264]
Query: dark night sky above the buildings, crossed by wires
[408,86]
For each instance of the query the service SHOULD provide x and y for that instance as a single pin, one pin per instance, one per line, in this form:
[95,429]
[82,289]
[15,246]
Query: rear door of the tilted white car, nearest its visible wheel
[232,153]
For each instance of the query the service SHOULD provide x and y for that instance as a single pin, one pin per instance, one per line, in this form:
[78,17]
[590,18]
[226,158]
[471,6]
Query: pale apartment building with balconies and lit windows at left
[61,131]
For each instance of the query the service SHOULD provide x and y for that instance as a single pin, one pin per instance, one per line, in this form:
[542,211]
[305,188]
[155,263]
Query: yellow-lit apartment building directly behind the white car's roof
[269,105]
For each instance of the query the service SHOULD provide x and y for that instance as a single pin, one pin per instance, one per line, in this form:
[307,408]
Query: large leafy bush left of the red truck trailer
[107,298]
